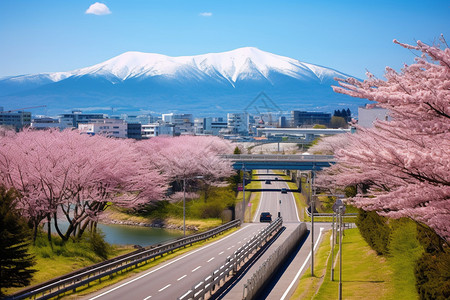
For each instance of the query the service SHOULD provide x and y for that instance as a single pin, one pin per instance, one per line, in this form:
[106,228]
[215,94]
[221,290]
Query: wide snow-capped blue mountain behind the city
[148,81]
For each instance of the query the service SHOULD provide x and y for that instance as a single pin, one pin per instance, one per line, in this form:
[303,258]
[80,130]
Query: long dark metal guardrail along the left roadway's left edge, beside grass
[97,272]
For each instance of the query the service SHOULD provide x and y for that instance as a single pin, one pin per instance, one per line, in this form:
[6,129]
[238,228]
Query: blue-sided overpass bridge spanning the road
[280,162]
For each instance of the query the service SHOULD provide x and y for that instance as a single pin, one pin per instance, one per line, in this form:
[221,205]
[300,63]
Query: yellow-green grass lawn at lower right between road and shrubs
[365,274]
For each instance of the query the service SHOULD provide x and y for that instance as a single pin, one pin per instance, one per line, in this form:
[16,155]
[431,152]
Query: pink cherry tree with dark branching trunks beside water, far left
[75,175]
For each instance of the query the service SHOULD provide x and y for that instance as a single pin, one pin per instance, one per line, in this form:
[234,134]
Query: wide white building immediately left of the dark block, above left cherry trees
[107,127]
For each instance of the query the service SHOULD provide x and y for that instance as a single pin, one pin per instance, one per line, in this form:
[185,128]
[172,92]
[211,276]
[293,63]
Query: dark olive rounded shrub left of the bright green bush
[375,230]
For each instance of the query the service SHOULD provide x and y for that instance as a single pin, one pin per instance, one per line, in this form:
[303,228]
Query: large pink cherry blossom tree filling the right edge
[404,163]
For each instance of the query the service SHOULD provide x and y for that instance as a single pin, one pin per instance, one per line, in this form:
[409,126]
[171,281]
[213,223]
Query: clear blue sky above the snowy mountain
[350,36]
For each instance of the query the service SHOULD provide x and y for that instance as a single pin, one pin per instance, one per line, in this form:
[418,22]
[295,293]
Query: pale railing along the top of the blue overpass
[276,157]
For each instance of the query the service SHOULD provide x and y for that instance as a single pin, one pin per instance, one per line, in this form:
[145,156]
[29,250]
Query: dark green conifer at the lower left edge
[15,261]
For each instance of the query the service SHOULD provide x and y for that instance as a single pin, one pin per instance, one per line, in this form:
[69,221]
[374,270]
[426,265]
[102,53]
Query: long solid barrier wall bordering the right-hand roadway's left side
[263,275]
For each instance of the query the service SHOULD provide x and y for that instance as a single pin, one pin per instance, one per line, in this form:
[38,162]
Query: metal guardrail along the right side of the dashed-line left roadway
[232,264]
